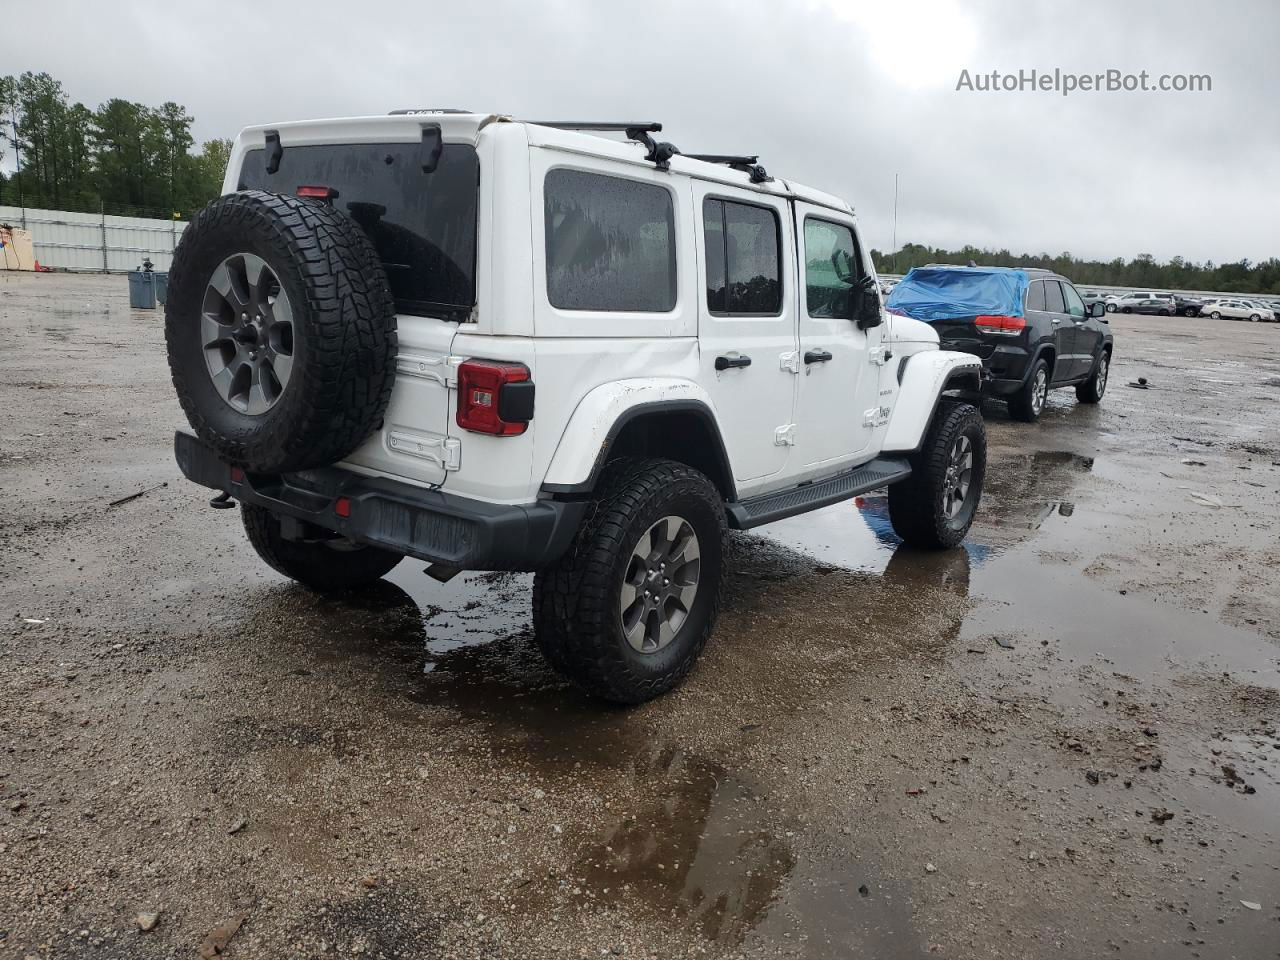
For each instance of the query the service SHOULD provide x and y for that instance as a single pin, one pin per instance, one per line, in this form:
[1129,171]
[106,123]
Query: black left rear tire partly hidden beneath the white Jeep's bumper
[324,566]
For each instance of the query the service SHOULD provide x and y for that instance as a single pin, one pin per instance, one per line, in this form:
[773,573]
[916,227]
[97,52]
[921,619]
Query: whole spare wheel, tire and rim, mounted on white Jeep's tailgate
[281,328]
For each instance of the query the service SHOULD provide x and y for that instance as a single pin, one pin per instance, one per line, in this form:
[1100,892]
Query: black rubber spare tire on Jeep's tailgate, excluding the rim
[344,333]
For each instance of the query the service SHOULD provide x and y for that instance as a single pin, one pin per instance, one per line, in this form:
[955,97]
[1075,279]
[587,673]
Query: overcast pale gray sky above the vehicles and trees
[836,94]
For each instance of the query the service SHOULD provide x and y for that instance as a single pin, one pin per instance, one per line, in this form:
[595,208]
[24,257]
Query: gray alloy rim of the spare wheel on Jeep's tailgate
[248,331]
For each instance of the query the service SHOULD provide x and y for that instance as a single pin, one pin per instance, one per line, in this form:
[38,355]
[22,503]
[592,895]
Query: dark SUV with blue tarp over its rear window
[1030,327]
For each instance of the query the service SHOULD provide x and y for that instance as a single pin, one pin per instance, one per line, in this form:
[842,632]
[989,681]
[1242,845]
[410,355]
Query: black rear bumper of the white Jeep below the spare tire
[431,525]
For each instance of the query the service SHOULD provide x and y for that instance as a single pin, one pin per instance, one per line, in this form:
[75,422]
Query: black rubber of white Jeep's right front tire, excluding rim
[916,505]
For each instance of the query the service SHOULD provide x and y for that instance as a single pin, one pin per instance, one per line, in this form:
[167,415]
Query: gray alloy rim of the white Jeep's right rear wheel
[660,586]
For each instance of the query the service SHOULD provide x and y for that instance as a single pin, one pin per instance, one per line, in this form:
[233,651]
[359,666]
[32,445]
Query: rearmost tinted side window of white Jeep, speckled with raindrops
[611,244]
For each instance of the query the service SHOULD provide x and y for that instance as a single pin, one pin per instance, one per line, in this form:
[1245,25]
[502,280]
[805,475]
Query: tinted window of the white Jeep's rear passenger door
[744,272]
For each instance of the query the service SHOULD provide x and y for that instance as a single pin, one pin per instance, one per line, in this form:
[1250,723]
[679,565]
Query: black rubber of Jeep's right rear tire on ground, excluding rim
[578,616]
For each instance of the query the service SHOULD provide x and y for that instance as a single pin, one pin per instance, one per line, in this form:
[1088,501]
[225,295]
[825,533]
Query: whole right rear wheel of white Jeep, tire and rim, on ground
[628,610]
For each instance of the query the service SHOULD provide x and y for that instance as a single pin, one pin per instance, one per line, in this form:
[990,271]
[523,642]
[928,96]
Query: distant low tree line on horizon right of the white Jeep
[1144,271]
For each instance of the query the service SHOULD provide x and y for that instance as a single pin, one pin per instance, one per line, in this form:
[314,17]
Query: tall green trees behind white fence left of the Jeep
[121,158]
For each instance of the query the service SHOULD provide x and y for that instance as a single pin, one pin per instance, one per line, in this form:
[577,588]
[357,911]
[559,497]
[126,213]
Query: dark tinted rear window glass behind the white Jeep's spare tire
[423,225]
